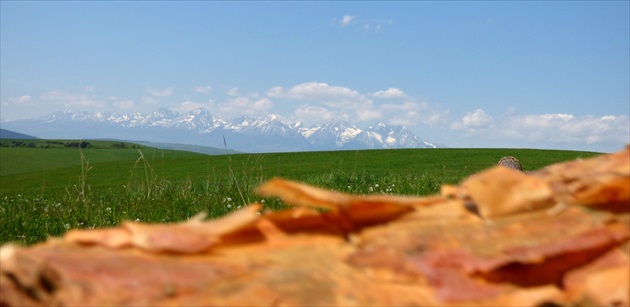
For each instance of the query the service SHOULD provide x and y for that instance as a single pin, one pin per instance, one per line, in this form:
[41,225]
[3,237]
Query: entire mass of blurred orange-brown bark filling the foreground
[558,236]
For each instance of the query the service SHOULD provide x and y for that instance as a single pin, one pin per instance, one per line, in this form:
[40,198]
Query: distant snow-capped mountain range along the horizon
[200,127]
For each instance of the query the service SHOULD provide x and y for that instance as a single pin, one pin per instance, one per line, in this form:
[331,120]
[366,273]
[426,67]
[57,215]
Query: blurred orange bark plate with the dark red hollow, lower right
[471,261]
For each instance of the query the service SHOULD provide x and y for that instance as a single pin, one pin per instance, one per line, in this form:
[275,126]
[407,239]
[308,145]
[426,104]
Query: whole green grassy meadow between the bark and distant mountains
[48,188]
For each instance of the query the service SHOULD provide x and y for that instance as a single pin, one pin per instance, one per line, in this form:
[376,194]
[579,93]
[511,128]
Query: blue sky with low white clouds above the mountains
[464,74]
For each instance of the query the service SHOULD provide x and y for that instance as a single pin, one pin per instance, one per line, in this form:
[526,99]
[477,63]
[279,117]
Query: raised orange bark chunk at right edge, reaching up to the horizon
[601,182]
